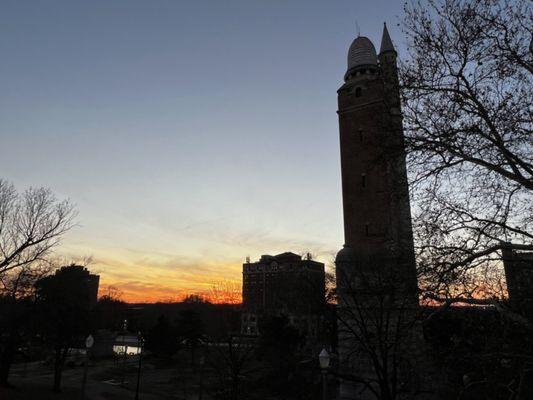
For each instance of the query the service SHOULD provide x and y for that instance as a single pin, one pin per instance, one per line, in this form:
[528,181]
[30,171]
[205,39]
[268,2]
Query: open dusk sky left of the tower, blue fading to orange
[189,134]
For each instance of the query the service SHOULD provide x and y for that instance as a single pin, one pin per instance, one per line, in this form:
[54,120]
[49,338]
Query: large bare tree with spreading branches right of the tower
[467,95]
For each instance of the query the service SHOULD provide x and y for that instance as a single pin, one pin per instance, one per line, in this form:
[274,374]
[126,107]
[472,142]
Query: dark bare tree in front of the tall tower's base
[379,329]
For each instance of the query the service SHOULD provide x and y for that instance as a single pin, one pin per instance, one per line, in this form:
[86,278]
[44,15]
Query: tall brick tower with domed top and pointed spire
[376,273]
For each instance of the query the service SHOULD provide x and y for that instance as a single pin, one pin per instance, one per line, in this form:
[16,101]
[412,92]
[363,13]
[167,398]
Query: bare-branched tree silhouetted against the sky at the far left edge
[32,224]
